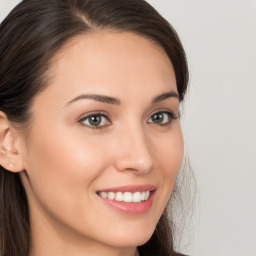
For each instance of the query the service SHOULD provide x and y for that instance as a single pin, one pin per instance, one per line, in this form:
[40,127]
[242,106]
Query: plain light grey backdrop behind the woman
[219,122]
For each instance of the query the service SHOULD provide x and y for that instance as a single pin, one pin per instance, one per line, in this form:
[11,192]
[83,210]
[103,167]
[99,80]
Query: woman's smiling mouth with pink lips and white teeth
[129,199]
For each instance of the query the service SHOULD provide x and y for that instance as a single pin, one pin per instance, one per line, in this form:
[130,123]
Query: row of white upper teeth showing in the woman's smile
[126,197]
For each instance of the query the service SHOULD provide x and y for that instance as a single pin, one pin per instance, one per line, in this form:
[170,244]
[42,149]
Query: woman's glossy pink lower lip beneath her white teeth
[132,208]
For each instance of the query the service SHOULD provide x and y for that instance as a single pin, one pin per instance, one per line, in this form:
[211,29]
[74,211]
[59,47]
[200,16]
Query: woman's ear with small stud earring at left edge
[10,146]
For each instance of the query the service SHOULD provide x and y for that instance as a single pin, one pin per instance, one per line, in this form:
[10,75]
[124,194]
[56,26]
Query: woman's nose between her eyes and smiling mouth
[133,152]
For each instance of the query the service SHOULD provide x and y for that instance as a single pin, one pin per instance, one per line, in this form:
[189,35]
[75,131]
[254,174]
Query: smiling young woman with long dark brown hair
[90,137]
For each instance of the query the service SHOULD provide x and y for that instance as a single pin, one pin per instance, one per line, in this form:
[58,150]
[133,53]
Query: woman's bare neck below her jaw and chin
[51,239]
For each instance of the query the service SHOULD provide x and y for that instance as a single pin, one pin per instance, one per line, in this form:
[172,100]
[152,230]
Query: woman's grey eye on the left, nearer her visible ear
[95,121]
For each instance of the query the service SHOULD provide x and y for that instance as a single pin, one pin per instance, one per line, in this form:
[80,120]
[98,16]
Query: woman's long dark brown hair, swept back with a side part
[30,37]
